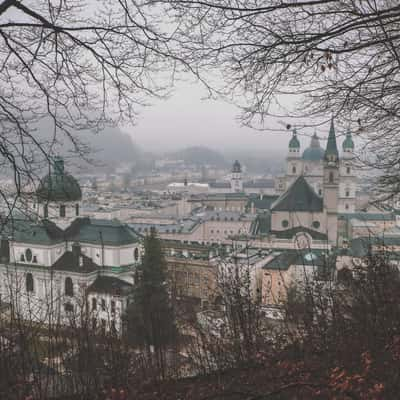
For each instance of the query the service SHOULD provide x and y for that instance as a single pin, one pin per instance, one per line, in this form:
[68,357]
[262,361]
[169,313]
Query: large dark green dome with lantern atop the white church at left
[58,185]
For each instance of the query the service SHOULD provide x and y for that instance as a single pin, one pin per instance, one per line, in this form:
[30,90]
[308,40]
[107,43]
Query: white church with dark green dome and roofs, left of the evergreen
[59,267]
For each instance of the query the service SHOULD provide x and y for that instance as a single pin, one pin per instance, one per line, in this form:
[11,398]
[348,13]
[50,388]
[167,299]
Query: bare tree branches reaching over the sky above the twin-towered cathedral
[336,57]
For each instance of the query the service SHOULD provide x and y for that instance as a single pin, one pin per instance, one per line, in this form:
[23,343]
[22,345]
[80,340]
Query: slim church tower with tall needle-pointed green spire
[331,185]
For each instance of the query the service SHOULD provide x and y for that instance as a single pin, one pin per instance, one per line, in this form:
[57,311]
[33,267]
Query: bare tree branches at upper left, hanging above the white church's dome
[71,66]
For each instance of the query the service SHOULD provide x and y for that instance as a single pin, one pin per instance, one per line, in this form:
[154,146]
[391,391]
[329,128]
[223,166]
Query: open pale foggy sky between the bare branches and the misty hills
[186,120]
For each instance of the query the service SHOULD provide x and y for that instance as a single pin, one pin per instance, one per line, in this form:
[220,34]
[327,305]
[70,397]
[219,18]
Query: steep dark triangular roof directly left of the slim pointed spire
[299,197]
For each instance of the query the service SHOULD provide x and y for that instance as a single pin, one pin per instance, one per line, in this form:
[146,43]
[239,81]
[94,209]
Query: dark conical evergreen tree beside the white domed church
[150,316]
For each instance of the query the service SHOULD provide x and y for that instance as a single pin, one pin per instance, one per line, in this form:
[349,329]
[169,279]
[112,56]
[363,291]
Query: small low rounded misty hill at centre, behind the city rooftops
[198,155]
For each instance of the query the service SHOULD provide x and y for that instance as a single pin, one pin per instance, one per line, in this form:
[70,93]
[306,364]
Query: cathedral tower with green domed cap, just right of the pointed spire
[348,185]
